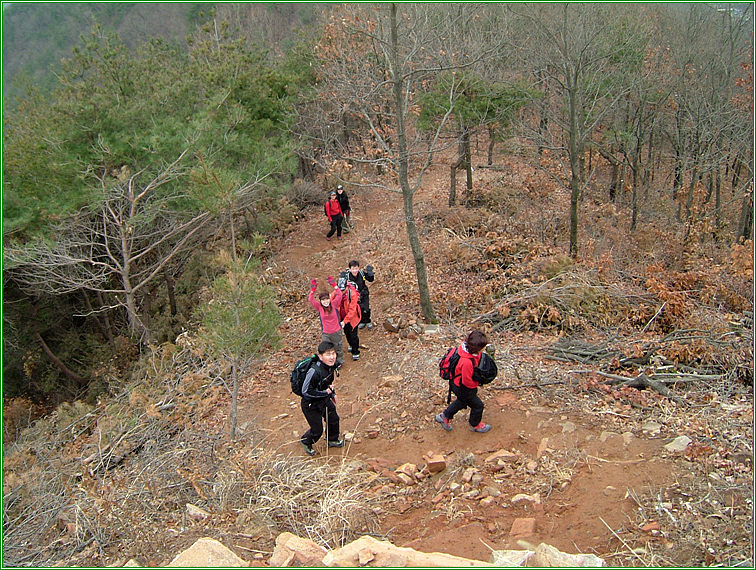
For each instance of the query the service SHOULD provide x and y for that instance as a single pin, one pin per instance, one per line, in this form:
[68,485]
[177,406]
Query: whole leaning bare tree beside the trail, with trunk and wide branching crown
[377,60]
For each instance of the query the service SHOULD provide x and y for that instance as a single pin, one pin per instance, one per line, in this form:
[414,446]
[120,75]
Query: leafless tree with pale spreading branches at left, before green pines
[116,246]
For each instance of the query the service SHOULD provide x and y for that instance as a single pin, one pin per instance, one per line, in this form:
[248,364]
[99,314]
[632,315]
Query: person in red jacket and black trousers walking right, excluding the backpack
[465,387]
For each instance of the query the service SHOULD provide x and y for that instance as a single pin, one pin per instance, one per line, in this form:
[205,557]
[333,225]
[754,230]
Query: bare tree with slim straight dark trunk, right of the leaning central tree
[577,50]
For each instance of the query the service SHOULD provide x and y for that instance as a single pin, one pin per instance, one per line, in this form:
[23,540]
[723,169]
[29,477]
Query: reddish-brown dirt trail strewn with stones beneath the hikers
[584,470]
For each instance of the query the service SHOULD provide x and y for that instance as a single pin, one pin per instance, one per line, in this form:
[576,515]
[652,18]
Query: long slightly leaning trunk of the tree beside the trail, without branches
[407,195]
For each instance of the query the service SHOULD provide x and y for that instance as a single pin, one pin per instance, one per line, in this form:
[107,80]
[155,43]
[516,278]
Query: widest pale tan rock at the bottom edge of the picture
[368,551]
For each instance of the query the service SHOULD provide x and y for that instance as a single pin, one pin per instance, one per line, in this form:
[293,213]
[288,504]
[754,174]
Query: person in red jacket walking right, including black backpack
[467,367]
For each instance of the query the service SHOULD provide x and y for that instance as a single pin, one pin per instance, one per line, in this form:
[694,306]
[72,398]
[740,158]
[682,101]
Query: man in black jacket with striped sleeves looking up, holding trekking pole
[319,400]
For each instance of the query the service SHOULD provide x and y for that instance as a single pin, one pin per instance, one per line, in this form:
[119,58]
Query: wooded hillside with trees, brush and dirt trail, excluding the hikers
[575,181]
